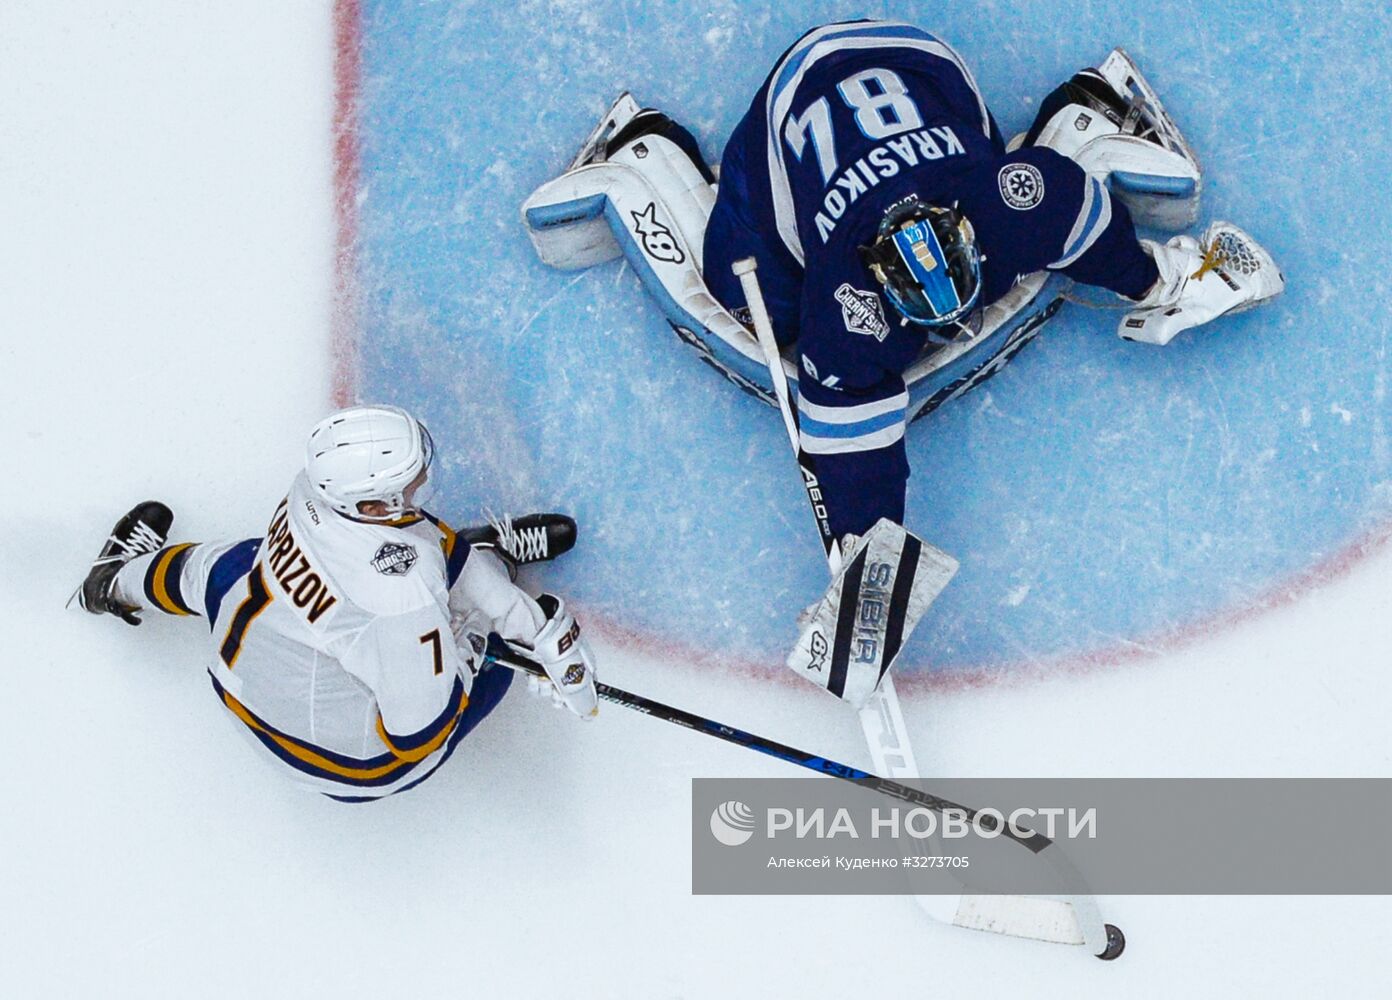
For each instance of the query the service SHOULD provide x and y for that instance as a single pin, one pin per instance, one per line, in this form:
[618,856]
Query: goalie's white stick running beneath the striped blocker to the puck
[1071,921]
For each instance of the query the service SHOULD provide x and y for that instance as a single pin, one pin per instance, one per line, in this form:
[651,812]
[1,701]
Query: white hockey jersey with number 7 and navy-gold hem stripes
[336,651]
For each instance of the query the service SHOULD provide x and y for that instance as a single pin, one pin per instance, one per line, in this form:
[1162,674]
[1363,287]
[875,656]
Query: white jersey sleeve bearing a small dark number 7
[413,668]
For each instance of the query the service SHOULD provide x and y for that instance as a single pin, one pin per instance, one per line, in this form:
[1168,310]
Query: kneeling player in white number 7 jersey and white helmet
[349,643]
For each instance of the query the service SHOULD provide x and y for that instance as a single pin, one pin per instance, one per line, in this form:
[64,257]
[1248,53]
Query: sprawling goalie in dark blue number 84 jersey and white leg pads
[905,251]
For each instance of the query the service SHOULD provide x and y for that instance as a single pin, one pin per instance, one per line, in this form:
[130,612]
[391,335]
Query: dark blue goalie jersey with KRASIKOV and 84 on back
[855,118]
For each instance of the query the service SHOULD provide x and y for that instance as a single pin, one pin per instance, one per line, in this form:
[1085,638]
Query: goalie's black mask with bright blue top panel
[928,261]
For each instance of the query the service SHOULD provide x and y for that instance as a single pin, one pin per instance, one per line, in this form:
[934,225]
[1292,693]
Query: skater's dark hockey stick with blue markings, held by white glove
[1036,843]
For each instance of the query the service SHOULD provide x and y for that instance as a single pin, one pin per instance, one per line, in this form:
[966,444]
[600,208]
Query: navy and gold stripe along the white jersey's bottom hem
[402,758]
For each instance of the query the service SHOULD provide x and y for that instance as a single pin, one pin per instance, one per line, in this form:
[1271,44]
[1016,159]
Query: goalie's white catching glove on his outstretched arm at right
[1201,281]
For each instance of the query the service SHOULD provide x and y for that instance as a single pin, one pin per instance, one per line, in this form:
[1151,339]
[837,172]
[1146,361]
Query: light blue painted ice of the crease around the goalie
[1099,494]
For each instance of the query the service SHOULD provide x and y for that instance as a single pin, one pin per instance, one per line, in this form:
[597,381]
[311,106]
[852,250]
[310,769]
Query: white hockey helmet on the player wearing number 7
[368,453]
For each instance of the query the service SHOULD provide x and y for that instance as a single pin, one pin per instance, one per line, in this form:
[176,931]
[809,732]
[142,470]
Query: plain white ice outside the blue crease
[166,243]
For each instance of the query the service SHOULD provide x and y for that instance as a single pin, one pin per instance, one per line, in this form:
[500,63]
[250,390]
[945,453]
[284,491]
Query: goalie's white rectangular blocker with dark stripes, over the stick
[886,584]
